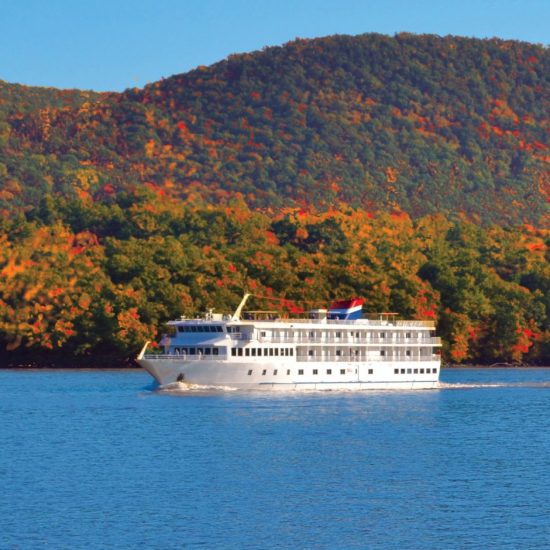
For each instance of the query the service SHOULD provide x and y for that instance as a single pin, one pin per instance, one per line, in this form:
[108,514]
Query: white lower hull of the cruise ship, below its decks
[236,375]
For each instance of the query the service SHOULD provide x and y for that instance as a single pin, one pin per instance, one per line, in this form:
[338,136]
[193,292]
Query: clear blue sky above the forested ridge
[118,44]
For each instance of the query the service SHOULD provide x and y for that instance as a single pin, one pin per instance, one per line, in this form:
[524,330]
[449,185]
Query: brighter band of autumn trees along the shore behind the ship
[77,291]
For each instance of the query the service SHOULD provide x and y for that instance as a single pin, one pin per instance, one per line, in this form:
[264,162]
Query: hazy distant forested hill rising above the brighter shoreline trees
[421,124]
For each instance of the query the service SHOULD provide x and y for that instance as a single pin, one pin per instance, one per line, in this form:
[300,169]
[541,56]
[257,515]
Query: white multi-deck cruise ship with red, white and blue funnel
[332,349]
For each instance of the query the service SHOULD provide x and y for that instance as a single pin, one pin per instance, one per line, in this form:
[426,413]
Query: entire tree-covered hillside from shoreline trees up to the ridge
[411,171]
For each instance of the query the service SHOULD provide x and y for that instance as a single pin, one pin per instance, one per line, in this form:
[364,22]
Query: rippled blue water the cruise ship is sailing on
[92,459]
